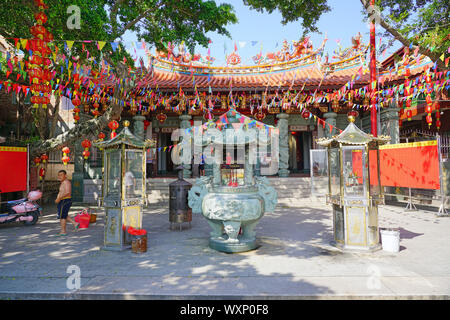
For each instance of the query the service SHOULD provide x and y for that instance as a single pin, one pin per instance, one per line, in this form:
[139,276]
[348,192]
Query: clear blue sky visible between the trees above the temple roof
[340,24]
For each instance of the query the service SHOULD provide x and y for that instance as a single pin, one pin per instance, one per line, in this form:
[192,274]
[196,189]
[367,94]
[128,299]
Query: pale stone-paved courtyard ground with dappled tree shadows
[295,260]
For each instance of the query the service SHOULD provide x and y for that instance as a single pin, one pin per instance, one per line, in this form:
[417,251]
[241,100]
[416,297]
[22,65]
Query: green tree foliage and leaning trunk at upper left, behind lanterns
[155,21]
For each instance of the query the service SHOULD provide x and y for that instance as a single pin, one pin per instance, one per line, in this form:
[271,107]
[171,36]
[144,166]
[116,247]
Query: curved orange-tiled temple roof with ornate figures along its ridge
[303,68]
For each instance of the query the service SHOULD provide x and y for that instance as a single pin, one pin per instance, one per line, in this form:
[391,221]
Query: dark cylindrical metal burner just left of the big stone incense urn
[179,211]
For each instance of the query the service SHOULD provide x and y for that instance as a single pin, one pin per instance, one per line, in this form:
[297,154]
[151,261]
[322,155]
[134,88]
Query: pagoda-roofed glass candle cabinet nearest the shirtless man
[123,186]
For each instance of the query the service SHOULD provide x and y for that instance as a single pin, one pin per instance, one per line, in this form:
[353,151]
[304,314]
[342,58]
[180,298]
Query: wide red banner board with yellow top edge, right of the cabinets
[410,165]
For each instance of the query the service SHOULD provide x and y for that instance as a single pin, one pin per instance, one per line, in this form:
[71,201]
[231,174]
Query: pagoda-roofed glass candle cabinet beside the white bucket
[354,190]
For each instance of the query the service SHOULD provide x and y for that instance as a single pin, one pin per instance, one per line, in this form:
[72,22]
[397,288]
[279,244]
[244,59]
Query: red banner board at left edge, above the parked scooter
[13,169]
